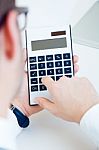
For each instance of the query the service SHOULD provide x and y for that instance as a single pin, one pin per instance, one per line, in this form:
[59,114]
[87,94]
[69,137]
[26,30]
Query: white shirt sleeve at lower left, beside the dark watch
[9,129]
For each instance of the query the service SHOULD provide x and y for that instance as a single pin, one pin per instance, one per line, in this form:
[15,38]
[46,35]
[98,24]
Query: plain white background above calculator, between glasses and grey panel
[55,12]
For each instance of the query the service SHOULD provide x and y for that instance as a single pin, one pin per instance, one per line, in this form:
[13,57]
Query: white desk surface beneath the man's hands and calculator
[49,133]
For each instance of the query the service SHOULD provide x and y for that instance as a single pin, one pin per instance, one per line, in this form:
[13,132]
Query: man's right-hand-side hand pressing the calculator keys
[71,98]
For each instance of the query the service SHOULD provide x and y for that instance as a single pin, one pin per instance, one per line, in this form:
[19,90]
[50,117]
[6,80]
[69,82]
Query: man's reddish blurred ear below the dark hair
[11,35]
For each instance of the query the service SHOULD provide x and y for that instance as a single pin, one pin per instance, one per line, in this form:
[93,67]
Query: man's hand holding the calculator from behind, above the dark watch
[22,100]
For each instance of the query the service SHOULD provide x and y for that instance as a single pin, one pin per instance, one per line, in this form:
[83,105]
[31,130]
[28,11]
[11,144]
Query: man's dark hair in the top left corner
[5,7]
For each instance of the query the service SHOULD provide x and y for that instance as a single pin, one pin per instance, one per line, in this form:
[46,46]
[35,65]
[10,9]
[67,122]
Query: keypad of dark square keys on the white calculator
[54,65]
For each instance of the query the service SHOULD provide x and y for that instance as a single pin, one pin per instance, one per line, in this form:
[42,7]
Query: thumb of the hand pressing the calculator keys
[45,103]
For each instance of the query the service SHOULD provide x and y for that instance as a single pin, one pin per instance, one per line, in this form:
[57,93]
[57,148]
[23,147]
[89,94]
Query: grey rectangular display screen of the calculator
[49,44]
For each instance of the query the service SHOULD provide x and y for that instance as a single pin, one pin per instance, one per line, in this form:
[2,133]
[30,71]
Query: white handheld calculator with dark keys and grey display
[50,53]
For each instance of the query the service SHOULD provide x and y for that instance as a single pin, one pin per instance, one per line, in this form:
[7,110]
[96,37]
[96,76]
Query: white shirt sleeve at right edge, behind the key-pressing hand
[90,123]
